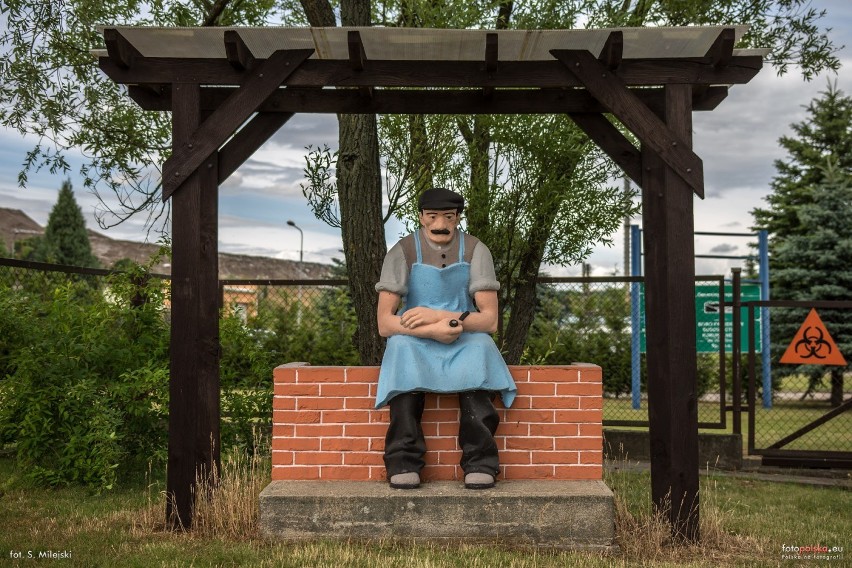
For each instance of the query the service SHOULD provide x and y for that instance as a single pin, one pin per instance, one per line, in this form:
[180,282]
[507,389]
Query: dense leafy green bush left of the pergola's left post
[87,394]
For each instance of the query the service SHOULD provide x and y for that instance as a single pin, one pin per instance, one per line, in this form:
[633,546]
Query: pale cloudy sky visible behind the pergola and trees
[738,143]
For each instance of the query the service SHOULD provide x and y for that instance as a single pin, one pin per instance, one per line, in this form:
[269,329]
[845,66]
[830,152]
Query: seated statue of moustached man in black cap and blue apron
[440,342]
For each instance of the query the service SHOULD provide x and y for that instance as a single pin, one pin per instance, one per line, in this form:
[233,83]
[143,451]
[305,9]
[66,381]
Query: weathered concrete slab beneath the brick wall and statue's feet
[560,514]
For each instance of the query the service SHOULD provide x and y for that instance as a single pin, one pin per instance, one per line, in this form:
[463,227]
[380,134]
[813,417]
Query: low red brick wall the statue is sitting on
[324,425]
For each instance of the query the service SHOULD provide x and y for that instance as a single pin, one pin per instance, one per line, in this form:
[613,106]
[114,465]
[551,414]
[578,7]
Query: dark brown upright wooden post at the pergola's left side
[194,345]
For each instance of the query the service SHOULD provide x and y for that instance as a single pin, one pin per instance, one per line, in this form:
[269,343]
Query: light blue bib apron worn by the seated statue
[471,362]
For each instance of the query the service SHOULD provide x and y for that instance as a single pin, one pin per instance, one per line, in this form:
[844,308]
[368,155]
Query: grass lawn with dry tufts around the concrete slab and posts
[744,523]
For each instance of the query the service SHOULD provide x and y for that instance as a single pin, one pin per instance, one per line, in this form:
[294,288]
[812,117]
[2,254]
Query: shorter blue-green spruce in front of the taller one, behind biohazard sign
[814,264]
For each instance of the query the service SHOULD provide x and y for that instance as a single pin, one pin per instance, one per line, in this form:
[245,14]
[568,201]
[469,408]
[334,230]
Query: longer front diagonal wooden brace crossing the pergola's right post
[614,95]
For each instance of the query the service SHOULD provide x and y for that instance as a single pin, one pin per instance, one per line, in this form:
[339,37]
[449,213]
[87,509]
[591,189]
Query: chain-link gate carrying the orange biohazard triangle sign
[807,406]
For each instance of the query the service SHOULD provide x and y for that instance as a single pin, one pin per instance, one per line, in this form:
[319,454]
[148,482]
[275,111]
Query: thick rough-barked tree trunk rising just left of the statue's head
[359,193]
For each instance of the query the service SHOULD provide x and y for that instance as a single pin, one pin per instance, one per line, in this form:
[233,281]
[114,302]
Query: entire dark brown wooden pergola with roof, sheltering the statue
[229,90]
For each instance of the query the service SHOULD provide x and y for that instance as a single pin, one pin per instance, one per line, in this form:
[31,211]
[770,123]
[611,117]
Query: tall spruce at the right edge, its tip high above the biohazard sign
[803,233]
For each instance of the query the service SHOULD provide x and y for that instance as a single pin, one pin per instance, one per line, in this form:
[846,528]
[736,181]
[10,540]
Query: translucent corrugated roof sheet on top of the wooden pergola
[423,43]
